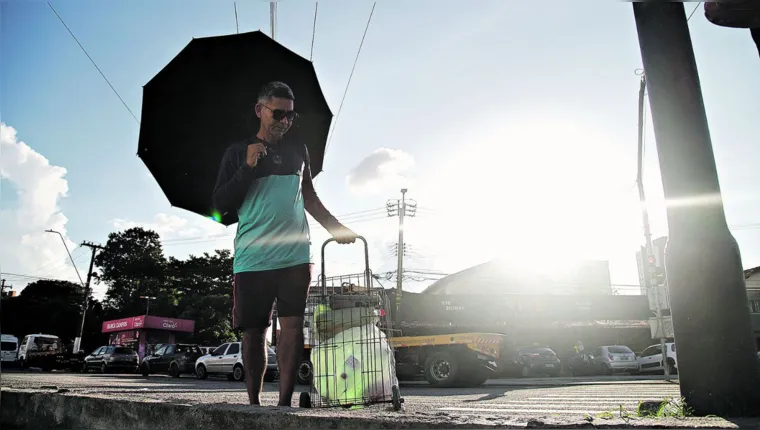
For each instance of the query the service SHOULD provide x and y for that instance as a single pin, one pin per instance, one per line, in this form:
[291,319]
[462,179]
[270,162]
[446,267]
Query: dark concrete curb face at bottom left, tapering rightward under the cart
[35,409]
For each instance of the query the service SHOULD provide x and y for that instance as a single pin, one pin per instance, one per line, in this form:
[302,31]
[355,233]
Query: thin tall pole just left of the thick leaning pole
[650,284]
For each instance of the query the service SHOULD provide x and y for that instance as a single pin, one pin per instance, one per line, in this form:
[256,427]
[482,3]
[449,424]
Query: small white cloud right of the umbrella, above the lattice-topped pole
[382,169]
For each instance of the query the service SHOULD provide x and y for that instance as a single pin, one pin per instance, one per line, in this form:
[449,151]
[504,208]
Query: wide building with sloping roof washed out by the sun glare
[502,277]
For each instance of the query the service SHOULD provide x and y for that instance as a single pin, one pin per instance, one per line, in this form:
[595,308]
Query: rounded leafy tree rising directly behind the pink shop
[133,265]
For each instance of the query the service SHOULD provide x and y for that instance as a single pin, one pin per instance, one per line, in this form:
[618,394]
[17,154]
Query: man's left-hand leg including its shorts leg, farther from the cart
[253,298]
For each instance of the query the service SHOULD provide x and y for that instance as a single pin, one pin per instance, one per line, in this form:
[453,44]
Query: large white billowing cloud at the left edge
[25,247]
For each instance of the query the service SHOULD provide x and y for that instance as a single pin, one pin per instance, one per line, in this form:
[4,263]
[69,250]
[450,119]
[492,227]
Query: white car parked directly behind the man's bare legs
[227,360]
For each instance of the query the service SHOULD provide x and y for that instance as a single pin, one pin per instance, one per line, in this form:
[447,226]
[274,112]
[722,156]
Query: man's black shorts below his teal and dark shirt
[254,294]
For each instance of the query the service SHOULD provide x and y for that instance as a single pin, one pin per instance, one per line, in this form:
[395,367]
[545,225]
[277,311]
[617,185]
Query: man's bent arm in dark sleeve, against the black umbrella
[232,182]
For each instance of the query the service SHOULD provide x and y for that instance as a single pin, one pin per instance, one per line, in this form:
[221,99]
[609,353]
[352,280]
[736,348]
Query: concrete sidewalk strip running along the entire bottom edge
[60,408]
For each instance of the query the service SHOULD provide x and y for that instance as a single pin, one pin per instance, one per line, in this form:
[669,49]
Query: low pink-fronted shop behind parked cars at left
[142,331]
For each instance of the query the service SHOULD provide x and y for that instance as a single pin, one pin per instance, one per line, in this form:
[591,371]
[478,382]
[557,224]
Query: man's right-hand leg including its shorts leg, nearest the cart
[293,289]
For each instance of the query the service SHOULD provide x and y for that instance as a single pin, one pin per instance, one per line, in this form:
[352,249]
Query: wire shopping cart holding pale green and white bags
[352,359]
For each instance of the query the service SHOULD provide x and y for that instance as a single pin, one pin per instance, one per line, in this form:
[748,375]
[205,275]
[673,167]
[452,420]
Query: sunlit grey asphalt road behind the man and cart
[535,398]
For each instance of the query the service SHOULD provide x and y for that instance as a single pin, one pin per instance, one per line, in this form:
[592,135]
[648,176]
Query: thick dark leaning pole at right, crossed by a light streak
[709,307]
